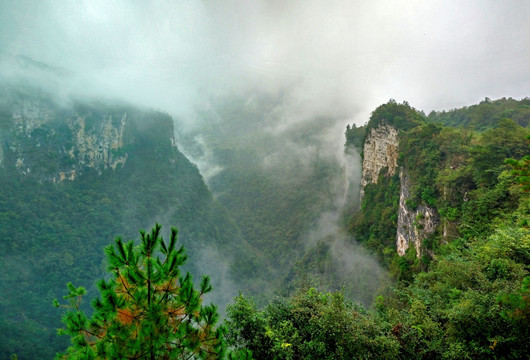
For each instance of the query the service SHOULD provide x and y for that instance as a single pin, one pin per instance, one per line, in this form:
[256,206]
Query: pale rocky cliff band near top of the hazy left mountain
[56,144]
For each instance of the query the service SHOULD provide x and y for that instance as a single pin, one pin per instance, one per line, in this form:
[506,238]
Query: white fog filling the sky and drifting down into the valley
[293,73]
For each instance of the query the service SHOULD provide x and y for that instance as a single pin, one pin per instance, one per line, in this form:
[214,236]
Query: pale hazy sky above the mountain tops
[331,57]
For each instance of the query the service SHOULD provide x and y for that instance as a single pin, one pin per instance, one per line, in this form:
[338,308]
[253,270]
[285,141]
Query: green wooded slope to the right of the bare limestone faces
[470,188]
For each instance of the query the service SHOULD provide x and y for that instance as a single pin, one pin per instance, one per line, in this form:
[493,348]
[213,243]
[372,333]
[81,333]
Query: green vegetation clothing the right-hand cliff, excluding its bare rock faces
[456,171]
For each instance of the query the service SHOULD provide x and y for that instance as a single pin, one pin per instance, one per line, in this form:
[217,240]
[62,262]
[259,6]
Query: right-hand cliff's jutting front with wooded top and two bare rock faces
[409,224]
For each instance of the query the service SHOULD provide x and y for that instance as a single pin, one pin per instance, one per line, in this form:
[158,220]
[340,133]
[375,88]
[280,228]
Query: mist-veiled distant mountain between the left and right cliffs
[286,182]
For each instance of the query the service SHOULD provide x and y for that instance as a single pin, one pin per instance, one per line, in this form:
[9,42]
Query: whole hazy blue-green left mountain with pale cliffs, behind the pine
[73,177]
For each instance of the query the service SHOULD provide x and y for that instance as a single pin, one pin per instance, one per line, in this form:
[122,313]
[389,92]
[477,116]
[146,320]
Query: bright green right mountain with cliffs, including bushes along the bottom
[448,215]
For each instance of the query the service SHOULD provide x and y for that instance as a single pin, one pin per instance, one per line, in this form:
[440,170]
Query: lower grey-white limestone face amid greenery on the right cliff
[413,225]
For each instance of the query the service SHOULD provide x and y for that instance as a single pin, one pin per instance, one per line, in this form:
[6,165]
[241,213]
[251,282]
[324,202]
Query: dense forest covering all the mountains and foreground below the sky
[460,291]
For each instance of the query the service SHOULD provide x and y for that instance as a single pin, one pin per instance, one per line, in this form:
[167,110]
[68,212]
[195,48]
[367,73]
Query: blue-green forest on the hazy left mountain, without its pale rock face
[52,229]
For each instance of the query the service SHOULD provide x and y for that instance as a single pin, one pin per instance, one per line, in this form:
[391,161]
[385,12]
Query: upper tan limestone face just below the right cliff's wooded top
[380,150]
